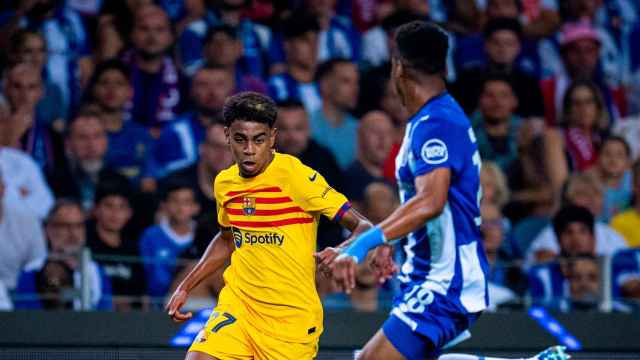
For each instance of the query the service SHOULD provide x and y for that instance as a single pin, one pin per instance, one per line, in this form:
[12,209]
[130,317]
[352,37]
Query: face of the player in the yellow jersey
[251,146]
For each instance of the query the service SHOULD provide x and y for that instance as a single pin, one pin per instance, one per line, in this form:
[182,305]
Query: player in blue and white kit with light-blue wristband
[444,277]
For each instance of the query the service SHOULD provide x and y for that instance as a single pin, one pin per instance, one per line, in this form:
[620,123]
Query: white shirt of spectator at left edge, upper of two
[25,187]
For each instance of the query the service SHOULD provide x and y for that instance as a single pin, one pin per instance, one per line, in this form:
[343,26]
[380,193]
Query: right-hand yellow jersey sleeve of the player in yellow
[315,195]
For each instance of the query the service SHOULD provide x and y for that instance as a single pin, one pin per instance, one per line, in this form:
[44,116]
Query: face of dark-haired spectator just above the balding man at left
[112,90]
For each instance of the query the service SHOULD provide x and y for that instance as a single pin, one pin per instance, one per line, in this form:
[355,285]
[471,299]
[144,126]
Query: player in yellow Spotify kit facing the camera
[269,205]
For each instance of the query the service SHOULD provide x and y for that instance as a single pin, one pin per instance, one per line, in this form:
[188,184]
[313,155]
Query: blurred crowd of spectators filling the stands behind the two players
[111,136]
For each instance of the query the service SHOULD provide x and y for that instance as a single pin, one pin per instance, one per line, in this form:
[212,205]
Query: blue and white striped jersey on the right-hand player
[445,255]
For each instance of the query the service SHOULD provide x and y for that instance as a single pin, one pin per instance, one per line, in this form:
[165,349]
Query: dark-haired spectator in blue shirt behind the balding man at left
[128,141]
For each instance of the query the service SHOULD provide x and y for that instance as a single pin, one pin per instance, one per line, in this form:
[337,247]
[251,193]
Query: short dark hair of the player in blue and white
[423,46]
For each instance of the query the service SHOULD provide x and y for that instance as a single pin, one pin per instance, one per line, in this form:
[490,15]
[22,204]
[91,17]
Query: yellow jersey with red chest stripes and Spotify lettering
[274,219]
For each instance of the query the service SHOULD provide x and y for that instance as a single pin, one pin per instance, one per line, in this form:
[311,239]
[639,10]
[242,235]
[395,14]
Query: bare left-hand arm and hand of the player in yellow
[216,256]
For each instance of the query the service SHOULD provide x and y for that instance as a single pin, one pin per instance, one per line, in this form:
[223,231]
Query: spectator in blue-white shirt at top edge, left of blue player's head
[337,38]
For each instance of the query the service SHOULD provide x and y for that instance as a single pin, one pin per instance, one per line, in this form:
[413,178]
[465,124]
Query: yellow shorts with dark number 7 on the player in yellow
[228,335]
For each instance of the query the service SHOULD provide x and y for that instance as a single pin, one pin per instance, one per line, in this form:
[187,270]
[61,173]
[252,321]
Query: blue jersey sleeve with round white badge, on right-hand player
[435,145]
